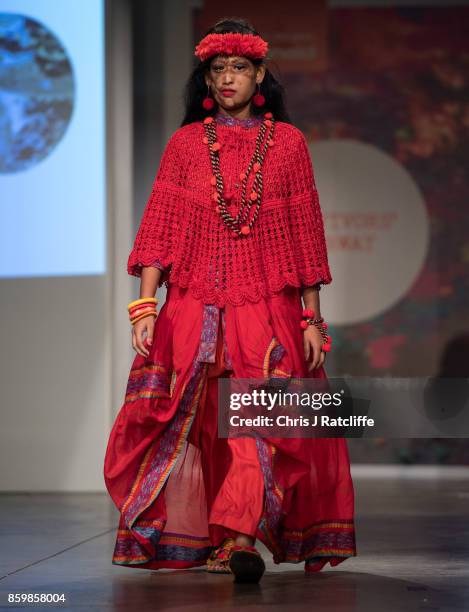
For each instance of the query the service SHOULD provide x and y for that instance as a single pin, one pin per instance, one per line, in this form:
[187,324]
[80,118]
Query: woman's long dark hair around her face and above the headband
[196,89]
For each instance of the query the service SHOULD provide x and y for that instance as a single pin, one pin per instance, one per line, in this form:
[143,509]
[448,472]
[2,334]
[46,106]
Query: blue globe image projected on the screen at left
[36,92]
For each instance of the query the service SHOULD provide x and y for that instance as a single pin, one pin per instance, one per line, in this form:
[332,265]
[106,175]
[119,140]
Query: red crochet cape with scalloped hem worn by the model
[182,230]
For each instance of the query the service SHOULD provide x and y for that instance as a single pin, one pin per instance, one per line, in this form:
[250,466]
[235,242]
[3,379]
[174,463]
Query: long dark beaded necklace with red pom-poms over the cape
[242,223]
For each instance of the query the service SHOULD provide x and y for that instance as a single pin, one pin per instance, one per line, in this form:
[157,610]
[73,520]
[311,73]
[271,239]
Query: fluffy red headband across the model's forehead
[231,43]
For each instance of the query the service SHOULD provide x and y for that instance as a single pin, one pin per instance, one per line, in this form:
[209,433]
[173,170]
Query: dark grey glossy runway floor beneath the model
[412,540]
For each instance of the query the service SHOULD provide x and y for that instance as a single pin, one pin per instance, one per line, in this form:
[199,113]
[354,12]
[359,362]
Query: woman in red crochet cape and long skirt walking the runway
[233,227]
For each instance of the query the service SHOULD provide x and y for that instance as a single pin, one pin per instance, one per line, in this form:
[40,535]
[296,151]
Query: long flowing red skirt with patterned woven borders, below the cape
[179,488]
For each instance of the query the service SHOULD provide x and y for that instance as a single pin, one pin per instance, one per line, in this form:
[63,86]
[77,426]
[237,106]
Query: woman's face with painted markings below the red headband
[233,80]
